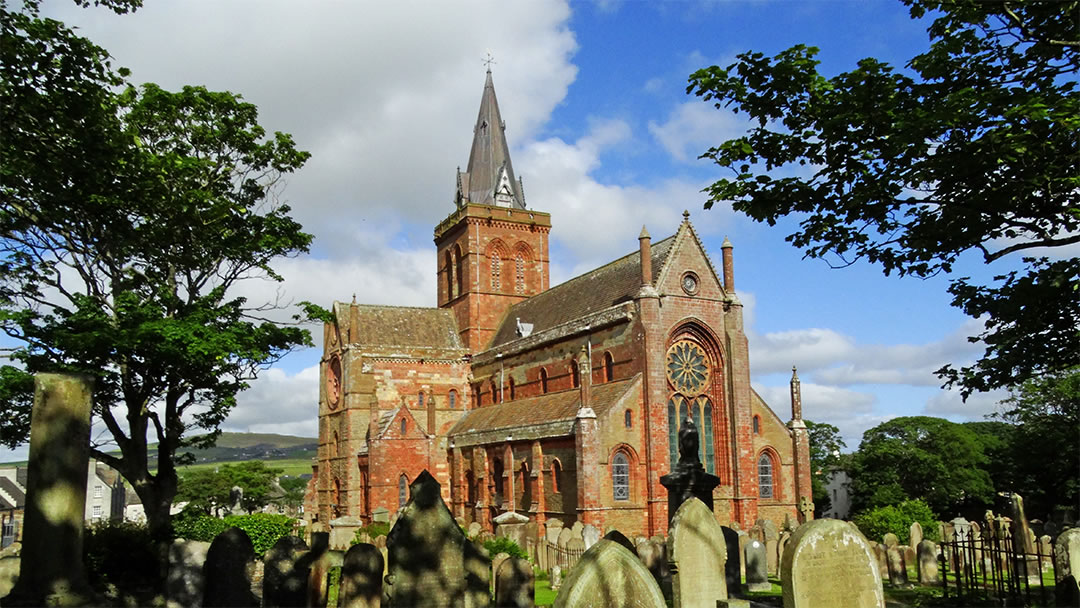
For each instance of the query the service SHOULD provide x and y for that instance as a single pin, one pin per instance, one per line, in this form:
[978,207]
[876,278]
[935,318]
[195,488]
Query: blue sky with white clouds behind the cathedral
[605,138]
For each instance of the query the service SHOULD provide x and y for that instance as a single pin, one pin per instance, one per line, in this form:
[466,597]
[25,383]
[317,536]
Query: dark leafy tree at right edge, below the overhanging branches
[1046,442]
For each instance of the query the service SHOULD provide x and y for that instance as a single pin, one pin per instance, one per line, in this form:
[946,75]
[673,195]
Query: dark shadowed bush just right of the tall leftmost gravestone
[120,555]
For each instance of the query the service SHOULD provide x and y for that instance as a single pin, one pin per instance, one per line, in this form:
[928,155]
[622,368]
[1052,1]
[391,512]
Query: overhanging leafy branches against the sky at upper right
[973,150]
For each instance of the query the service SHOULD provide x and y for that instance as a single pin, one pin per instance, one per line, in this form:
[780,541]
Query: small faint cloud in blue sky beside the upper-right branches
[694,127]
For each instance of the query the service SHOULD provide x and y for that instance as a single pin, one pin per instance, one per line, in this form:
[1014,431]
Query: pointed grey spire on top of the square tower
[490,178]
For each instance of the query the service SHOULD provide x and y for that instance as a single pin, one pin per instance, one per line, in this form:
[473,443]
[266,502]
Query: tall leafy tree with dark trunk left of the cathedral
[128,220]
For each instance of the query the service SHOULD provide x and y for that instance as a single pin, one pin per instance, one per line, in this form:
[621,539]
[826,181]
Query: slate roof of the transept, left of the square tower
[390,327]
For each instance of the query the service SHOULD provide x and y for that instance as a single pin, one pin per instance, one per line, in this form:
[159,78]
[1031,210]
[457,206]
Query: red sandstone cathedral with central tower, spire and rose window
[557,403]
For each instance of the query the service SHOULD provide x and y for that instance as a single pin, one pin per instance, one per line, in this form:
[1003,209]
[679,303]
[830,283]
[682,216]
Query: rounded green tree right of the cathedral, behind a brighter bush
[933,460]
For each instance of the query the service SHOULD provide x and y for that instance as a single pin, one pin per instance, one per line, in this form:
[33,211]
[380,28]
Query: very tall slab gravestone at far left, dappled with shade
[51,571]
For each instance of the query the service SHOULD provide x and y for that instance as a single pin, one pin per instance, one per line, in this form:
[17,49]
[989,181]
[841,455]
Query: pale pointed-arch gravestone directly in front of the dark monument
[697,556]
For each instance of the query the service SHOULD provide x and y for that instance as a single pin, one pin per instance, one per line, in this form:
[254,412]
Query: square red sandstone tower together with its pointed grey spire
[492,251]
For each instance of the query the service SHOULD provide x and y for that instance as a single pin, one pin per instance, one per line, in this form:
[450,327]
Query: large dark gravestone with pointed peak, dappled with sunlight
[428,555]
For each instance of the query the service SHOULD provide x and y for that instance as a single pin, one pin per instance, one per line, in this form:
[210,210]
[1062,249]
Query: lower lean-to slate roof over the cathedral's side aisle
[556,411]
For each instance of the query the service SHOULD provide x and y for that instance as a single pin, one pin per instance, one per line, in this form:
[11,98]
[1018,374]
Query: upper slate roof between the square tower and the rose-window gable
[611,285]
